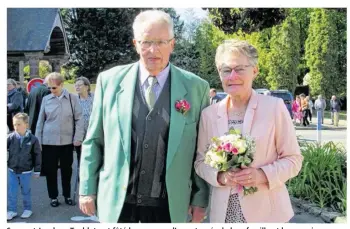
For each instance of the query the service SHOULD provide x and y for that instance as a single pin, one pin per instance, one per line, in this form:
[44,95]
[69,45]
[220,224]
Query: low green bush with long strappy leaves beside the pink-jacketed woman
[322,179]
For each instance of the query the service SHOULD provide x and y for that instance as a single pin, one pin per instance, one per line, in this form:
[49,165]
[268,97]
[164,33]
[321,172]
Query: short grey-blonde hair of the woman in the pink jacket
[233,47]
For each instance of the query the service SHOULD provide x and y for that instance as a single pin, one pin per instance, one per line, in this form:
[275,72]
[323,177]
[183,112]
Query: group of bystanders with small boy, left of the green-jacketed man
[44,130]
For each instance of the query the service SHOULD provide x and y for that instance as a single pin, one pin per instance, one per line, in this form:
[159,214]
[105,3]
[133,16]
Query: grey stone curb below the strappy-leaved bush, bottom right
[326,214]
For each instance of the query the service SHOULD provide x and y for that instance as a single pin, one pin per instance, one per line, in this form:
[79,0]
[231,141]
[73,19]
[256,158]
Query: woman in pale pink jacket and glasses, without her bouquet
[266,119]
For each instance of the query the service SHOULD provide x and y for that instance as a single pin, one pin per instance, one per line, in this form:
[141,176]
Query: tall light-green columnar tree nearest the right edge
[322,53]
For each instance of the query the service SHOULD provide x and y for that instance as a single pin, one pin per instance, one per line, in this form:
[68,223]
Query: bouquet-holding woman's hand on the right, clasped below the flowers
[250,177]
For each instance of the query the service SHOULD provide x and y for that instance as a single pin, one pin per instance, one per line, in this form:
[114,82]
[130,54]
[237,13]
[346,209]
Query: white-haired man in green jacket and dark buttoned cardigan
[137,158]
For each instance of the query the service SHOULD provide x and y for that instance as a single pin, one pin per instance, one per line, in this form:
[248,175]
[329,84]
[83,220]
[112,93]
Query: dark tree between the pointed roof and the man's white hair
[100,38]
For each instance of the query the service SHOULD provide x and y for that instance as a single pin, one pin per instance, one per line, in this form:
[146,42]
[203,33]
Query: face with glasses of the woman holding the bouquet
[237,74]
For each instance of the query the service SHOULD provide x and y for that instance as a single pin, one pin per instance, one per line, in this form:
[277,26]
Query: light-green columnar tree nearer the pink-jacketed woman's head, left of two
[284,55]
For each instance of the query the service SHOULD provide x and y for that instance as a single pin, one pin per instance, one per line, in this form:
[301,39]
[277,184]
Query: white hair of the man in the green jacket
[146,18]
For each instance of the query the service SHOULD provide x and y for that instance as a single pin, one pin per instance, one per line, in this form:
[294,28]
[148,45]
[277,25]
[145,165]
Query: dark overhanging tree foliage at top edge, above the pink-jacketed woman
[248,20]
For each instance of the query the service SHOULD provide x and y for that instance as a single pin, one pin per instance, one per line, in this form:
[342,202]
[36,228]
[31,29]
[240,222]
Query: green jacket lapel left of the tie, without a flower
[125,99]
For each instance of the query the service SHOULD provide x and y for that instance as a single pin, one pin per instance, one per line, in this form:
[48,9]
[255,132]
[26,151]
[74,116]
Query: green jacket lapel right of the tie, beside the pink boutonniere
[177,120]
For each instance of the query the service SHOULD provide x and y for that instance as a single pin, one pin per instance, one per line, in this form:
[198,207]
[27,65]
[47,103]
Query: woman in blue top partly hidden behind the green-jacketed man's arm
[86,99]
